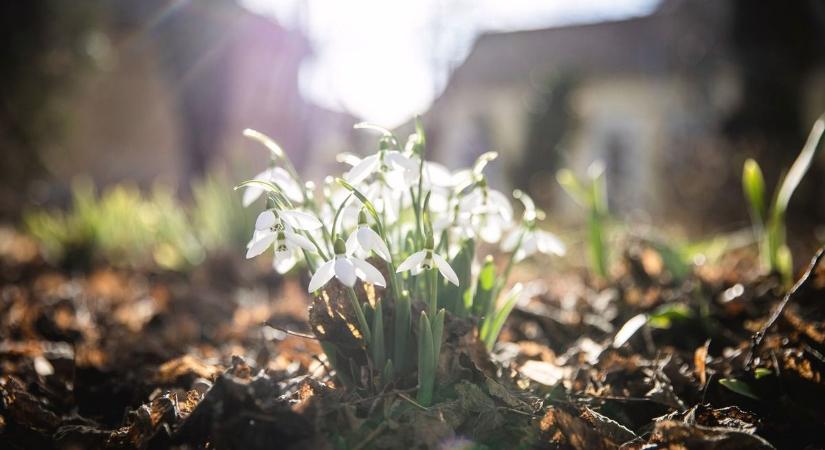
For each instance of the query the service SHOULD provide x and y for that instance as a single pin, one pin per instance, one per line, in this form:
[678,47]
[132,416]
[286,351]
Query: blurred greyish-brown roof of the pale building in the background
[673,36]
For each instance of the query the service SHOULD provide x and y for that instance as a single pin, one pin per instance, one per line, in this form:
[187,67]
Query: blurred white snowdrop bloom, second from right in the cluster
[489,211]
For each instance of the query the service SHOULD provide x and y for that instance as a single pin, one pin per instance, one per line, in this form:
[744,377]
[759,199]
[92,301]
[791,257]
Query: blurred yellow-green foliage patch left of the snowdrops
[128,228]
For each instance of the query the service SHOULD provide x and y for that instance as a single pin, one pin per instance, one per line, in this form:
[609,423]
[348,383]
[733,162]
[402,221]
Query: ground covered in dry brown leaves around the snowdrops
[224,358]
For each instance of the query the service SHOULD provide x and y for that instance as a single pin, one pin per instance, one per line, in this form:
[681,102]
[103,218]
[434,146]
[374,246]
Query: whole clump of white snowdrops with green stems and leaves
[408,228]
